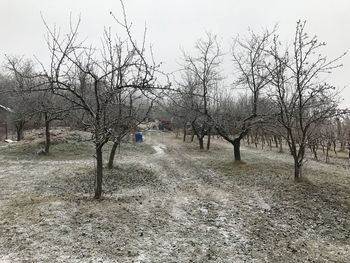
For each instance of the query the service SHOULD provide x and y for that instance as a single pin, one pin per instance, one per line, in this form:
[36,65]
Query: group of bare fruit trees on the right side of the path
[284,91]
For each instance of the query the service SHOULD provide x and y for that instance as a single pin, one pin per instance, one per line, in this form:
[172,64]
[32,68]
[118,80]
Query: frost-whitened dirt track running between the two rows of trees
[198,209]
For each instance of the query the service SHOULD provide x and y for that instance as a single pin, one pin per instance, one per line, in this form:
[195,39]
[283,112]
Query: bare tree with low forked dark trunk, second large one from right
[249,59]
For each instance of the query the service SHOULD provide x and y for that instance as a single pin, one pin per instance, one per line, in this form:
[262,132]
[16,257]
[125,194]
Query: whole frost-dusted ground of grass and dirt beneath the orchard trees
[166,201]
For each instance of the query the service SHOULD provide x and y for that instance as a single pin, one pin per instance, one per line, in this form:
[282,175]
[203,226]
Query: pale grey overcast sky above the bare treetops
[172,24]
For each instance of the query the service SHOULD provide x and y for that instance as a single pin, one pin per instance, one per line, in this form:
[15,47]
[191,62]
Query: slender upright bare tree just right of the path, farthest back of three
[200,82]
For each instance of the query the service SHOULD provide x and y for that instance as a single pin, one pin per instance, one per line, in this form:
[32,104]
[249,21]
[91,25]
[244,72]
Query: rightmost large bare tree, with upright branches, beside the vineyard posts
[302,100]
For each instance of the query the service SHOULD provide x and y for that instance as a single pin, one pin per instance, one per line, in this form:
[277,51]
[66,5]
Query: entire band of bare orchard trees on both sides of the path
[110,90]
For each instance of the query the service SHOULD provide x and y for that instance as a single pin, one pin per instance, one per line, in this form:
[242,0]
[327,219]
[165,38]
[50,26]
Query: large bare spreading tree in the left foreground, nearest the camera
[91,79]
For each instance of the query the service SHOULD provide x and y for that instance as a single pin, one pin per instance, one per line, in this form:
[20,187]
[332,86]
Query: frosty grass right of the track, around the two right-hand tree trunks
[309,220]
